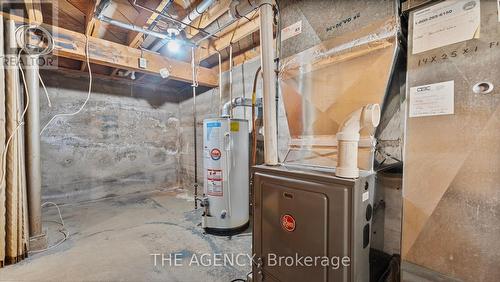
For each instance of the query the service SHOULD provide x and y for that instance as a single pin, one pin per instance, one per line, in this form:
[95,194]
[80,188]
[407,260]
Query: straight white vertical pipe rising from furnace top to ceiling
[269,85]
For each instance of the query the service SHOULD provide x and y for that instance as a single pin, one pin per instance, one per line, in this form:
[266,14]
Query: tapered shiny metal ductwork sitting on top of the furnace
[324,84]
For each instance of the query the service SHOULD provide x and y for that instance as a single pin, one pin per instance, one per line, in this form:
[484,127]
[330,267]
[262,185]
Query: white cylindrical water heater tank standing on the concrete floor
[226,176]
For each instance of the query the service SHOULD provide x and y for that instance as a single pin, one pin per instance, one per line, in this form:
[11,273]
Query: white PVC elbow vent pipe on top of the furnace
[348,139]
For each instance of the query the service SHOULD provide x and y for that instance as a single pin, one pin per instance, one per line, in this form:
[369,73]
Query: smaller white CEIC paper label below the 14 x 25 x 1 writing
[432,99]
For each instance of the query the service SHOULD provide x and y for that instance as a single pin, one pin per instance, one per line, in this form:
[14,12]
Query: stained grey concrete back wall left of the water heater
[125,140]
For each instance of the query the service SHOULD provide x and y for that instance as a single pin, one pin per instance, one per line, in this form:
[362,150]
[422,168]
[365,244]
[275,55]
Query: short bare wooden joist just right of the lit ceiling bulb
[241,28]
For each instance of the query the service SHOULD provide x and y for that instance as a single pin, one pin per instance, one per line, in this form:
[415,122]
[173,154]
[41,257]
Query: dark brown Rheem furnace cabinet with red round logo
[303,212]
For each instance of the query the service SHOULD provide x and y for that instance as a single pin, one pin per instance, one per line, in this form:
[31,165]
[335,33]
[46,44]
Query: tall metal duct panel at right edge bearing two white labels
[451,213]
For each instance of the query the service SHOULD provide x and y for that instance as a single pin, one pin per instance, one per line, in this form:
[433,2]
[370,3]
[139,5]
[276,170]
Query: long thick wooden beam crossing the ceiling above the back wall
[70,44]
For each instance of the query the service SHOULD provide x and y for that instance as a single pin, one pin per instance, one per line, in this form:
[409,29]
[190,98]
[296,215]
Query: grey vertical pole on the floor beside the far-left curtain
[33,164]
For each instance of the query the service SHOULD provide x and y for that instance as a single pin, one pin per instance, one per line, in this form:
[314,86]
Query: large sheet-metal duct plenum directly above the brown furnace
[321,85]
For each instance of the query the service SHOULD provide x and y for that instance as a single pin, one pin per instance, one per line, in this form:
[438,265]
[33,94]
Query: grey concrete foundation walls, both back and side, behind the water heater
[129,139]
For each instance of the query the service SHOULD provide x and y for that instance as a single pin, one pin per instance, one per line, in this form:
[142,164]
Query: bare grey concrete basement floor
[113,239]
